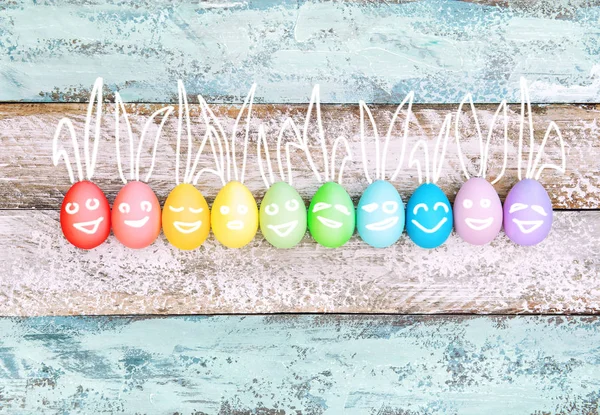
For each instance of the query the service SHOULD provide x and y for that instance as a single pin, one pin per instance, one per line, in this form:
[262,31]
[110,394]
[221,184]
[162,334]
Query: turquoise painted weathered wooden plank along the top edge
[371,50]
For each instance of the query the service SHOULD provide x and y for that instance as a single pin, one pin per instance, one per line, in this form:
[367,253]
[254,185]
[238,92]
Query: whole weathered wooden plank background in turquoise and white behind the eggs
[380,363]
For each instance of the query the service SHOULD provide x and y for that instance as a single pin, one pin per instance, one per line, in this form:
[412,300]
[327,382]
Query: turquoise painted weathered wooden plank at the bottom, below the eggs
[301,365]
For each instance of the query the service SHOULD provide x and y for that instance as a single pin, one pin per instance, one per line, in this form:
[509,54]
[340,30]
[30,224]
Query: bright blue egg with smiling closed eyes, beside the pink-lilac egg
[428,216]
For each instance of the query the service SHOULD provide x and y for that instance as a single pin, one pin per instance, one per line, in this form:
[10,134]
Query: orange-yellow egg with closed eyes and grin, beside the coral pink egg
[186,217]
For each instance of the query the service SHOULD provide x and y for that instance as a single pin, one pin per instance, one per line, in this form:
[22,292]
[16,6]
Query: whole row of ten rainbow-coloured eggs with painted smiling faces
[380,216]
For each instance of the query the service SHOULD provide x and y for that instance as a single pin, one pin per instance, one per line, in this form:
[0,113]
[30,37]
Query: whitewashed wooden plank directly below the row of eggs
[42,274]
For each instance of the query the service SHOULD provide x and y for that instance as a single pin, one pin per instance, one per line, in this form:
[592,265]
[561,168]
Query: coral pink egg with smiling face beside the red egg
[136,215]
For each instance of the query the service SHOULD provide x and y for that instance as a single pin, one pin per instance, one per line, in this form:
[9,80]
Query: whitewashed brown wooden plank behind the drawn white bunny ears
[30,180]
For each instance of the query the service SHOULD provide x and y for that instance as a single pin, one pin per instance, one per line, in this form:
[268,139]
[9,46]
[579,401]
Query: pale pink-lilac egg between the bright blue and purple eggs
[477,212]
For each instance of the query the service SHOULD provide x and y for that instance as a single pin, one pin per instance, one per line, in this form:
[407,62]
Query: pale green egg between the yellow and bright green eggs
[282,216]
